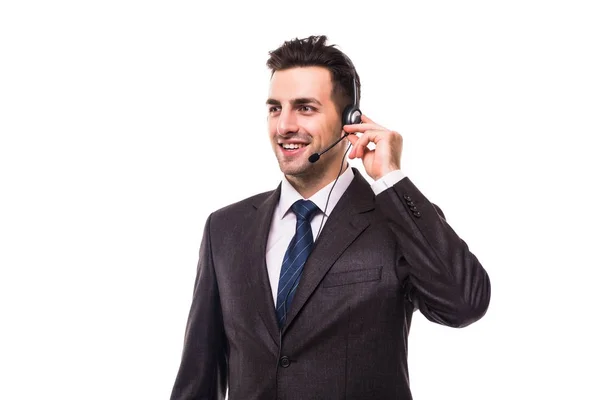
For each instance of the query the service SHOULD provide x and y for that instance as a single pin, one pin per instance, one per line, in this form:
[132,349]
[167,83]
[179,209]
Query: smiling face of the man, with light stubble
[303,120]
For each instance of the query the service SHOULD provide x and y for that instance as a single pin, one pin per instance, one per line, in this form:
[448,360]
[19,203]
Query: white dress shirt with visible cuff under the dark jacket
[283,225]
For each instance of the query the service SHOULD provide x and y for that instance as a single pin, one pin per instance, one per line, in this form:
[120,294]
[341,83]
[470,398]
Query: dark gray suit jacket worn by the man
[377,260]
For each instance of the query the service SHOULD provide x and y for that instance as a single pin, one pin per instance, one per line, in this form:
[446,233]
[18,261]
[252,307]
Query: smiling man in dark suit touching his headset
[299,299]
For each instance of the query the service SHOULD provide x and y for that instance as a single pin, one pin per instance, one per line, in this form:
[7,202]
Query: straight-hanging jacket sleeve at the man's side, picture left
[202,372]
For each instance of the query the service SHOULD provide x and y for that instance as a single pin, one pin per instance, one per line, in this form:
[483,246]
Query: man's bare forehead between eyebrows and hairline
[300,82]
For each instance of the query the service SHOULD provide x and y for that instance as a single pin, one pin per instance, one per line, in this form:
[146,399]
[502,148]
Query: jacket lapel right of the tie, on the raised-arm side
[345,223]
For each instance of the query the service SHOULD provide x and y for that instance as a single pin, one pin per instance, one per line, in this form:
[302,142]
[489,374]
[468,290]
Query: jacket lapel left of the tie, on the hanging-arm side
[258,280]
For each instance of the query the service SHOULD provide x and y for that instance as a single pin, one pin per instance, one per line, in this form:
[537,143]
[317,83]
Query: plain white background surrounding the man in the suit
[125,123]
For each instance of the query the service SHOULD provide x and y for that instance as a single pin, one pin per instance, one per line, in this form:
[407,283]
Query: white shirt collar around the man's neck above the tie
[289,195]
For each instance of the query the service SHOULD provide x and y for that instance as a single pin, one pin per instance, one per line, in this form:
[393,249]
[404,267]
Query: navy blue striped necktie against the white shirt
[295,257]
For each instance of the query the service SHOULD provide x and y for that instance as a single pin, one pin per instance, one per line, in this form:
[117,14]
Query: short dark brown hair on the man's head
[312,51]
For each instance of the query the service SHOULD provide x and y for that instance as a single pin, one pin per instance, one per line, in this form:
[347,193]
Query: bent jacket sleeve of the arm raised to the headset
[446,282]
